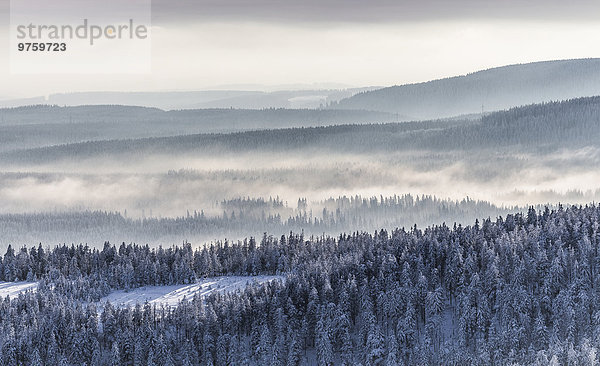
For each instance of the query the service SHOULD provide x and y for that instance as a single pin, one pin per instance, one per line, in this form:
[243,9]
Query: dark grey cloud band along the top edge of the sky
[166,11]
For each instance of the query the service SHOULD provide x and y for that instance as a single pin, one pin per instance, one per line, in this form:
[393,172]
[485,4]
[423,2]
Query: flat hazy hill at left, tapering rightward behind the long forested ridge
[37,126]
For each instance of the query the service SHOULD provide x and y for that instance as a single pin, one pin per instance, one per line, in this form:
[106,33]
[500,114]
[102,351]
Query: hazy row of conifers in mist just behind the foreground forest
[236,218]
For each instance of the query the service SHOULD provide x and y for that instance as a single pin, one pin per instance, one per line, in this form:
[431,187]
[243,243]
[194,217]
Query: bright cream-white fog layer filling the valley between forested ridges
[172,185]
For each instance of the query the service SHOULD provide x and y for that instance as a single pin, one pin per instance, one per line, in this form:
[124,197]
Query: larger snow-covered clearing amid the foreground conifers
[172,295]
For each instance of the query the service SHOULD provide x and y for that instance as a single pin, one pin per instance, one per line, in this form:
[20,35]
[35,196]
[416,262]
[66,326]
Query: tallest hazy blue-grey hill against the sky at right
[493,89]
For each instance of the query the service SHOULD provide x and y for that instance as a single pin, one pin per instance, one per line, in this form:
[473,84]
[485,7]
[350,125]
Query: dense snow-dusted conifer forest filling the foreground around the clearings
[518,290]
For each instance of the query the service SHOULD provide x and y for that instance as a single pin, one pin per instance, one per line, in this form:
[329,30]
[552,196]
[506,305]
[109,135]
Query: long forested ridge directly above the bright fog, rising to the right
[569,123]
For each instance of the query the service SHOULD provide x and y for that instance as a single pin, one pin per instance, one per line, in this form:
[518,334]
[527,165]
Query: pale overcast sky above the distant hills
[204,44]
